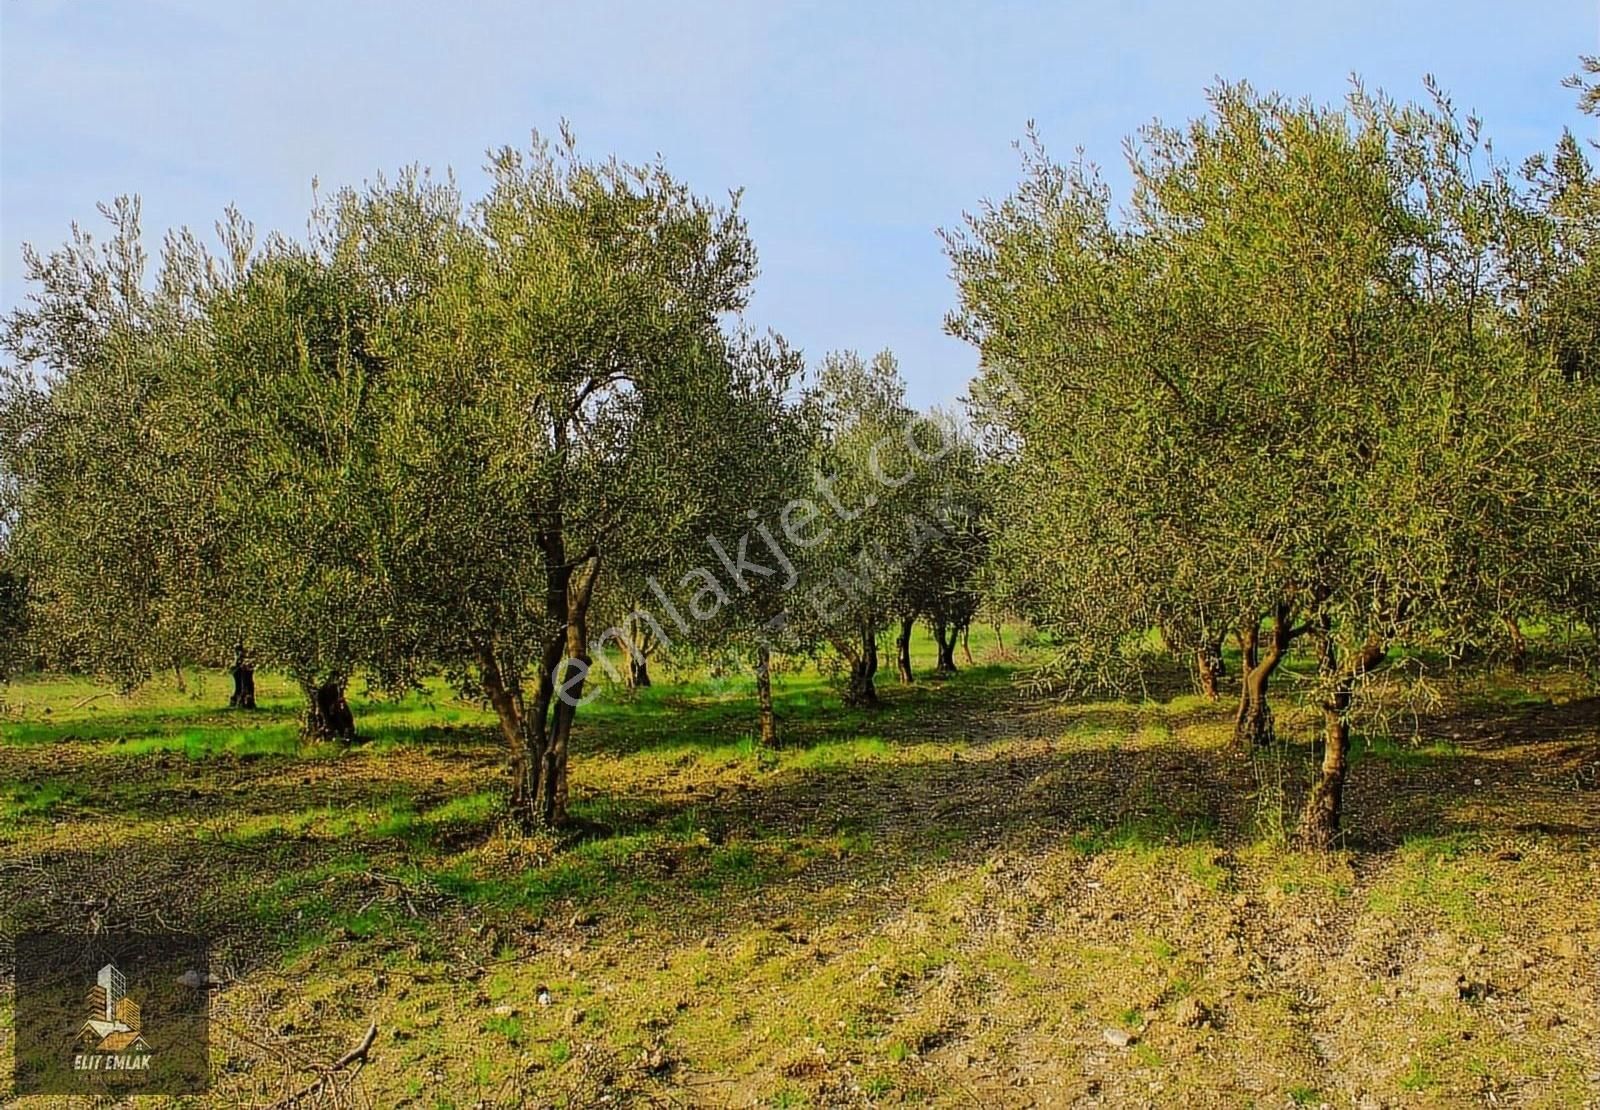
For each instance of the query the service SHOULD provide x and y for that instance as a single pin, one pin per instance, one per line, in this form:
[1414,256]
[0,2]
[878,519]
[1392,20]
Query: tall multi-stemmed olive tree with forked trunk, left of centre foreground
[562,397]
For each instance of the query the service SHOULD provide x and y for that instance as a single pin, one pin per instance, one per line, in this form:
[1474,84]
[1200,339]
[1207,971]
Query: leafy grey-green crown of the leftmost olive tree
[108,493]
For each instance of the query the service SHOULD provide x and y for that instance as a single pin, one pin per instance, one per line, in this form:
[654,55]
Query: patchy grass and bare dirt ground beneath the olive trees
[993,904]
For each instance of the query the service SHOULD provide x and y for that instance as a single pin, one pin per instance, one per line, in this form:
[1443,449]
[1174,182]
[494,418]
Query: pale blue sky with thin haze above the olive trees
[855,129]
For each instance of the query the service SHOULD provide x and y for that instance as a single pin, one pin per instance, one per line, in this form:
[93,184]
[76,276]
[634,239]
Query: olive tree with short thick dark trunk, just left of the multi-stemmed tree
[297,405]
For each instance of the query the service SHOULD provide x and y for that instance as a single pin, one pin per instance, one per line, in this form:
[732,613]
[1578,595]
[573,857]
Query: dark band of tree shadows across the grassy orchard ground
[1031,780]
